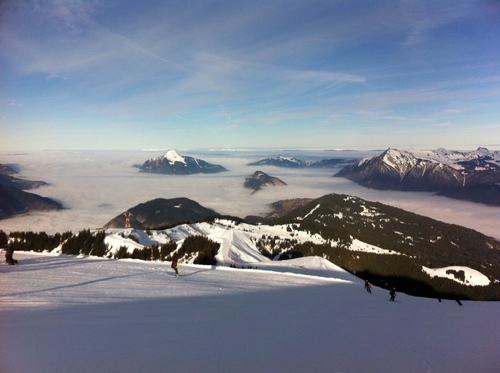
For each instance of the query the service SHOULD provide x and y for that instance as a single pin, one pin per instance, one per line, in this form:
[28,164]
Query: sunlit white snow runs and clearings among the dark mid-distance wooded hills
[238,245]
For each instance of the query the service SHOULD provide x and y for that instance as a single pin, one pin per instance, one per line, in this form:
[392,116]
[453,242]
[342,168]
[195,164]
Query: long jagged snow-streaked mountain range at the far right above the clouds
[473,176]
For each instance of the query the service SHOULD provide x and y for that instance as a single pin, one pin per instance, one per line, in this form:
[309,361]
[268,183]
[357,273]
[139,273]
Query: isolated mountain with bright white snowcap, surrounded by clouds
[171,163]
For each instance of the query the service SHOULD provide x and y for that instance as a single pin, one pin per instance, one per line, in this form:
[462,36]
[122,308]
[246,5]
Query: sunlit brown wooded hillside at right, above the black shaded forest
[342,218]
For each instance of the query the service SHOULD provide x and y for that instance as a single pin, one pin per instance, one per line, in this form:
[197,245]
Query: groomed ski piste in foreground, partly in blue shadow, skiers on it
[62,313]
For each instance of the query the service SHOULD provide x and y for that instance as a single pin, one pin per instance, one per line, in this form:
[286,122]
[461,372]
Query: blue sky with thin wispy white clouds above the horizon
[242,74]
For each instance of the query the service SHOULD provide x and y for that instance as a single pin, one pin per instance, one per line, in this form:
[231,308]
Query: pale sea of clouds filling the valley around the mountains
[96,186]
